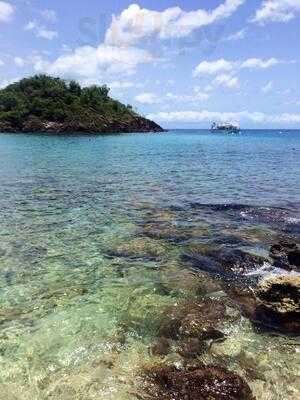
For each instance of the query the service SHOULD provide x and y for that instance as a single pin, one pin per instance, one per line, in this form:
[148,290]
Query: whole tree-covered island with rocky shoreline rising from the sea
[47,104]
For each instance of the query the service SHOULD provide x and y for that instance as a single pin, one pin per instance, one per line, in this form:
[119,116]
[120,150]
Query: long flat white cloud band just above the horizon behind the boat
[208,116]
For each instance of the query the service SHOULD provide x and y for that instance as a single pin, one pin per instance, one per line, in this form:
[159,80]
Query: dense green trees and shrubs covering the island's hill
[56,100]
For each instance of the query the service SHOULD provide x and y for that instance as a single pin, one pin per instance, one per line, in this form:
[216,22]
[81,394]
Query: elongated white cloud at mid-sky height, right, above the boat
[221,65]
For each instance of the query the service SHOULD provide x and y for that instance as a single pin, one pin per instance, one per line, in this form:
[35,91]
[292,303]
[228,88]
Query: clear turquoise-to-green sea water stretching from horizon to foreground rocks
[85,283]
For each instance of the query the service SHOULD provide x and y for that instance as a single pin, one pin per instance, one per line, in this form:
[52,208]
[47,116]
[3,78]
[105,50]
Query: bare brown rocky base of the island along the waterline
[99,125]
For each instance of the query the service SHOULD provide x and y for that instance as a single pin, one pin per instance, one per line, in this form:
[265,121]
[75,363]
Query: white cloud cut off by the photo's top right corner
[277,11]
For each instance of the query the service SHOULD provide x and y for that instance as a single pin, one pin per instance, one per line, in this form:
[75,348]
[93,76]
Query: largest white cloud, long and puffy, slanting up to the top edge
[136,23]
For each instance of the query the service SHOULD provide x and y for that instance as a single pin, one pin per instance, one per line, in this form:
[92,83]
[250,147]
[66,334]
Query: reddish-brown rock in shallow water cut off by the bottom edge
[197,383]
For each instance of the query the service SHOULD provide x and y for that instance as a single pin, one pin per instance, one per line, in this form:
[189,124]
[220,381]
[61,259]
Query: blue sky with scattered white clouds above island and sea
[182,63]
